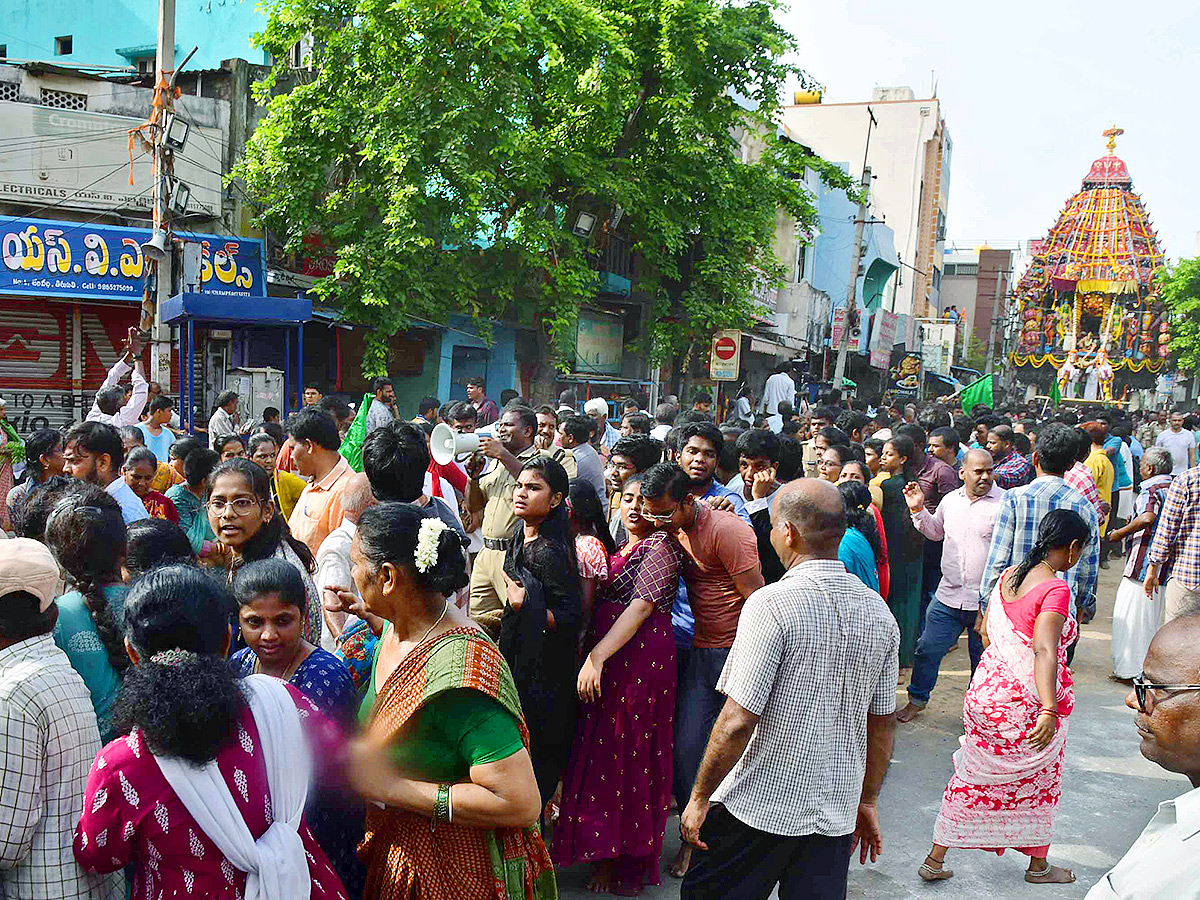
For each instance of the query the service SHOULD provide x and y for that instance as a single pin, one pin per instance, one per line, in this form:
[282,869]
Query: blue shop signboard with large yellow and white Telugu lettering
[88,261]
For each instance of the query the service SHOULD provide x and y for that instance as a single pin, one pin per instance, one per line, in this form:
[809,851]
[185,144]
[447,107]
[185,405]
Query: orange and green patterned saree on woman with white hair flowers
[411,856]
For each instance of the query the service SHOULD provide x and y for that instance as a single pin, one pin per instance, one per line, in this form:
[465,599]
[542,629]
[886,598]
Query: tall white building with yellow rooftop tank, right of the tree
[910,160]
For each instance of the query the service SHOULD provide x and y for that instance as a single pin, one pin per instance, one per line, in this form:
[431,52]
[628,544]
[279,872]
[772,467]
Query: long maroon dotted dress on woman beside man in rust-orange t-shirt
[617,788]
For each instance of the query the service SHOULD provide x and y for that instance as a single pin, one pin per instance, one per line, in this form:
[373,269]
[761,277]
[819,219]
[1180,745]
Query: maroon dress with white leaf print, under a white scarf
[133,817]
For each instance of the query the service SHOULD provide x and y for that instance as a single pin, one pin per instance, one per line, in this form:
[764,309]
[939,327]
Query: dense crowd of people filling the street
[253,663]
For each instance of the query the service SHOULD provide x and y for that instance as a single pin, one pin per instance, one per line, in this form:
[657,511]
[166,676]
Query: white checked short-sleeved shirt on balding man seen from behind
[815,653]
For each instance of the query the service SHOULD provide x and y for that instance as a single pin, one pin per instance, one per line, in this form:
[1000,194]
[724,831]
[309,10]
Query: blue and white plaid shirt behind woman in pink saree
[1017,532]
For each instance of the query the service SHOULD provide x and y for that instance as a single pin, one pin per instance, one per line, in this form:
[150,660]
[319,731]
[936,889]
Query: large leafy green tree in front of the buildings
[447,149]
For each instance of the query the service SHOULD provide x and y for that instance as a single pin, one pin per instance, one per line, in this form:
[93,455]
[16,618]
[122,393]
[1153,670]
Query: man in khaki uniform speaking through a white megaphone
[494,471]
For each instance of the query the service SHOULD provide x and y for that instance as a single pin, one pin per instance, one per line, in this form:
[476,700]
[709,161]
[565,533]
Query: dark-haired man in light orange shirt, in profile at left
[314,440]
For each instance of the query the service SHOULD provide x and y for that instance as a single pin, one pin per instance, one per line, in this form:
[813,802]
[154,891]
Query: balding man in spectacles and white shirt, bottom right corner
[1165,862]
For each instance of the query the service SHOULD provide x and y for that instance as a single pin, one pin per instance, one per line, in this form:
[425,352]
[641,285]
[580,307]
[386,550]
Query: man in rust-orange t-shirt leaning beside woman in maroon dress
[721,569]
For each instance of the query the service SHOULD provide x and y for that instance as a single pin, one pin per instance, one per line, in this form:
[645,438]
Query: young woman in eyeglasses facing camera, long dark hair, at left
[245,521]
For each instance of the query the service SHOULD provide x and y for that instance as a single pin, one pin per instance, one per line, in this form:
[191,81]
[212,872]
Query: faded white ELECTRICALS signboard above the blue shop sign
[81,160]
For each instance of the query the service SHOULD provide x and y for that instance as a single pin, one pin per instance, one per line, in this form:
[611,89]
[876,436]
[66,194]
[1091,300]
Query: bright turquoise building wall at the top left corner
[99,31]
